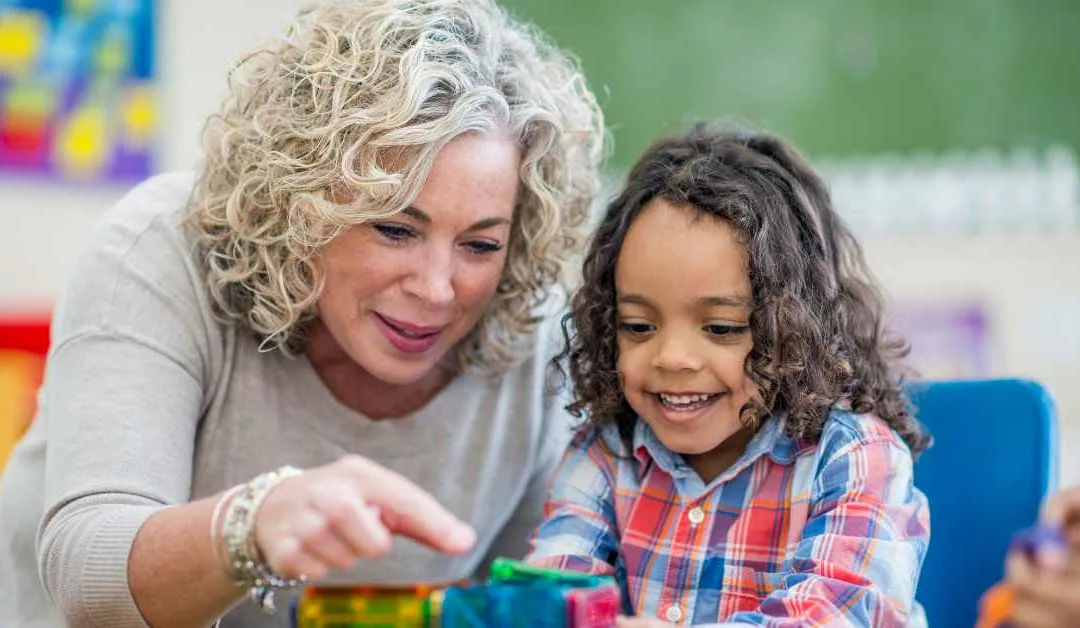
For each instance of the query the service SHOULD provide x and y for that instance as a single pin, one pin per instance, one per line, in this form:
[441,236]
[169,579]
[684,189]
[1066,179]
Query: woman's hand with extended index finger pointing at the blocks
[330,517]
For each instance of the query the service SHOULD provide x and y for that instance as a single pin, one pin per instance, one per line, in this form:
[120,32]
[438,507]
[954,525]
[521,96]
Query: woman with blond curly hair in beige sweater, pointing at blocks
[359,284]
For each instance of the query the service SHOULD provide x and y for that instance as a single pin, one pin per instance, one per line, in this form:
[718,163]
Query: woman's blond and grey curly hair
[339,123]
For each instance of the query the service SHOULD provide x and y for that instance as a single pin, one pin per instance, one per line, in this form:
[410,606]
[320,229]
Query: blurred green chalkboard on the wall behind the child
[839,77]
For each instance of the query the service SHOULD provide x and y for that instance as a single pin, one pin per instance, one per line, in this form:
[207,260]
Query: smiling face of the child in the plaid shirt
[684,298]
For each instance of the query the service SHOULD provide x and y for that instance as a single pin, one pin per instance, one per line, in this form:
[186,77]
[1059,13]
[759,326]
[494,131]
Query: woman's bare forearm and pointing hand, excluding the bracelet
[328,518]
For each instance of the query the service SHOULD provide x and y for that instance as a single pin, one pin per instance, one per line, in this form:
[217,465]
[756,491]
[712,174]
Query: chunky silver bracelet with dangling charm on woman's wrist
[246,565]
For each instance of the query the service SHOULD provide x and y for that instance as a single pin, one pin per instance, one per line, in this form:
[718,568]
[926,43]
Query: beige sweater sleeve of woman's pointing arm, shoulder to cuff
[125,390]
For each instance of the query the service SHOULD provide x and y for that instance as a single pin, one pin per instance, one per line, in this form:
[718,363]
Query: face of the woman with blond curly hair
[400,293]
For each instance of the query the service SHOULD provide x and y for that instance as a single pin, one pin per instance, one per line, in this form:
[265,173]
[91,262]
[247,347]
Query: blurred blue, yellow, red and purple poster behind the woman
[77,99]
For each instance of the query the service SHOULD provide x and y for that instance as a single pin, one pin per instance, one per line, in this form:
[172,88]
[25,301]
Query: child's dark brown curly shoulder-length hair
[817,320]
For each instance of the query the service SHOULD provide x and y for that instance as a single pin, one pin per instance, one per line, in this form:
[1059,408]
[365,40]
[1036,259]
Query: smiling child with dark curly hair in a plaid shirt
[748,452]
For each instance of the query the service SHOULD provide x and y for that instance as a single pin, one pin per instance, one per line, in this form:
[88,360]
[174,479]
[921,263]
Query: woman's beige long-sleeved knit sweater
[150,402]
